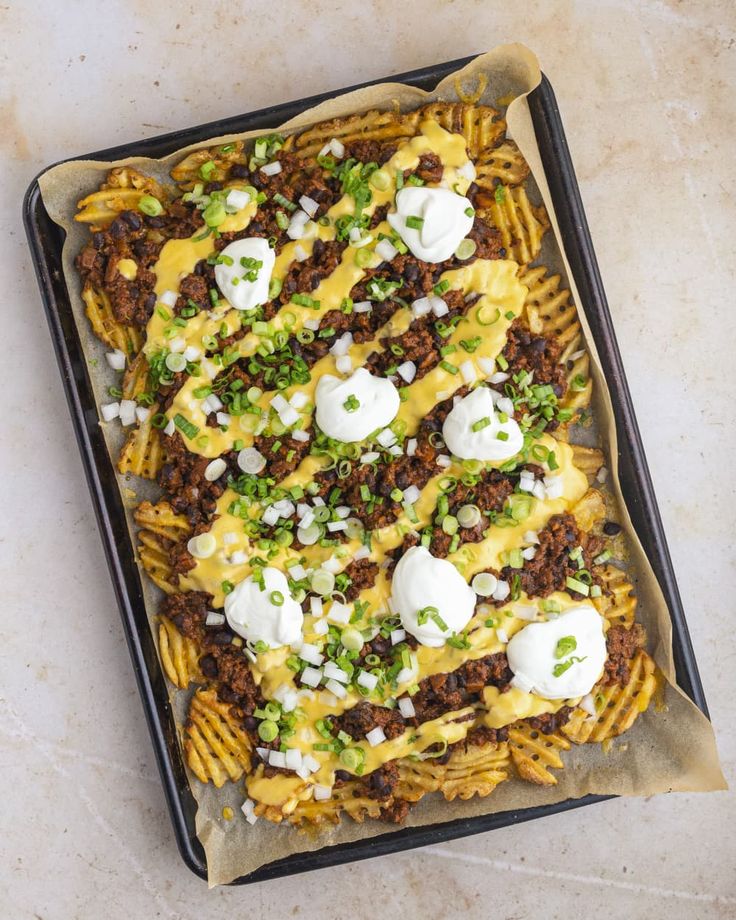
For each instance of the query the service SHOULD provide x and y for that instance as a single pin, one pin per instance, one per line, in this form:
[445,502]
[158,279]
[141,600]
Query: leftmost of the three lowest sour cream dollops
[269,615]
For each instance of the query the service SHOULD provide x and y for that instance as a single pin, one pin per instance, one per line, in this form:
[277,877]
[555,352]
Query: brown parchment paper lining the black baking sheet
[670,748]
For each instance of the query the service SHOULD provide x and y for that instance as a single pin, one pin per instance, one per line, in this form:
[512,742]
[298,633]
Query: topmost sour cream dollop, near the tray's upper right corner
[444,222]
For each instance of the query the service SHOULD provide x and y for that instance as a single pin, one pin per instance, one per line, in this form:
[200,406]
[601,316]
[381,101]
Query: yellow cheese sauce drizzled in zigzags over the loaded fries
[501,300]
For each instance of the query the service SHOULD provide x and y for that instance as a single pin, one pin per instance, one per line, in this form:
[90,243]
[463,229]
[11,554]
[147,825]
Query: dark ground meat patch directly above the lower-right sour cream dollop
[550,567]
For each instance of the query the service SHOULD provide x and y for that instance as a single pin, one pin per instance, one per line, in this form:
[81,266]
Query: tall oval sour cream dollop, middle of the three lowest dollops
[422,581]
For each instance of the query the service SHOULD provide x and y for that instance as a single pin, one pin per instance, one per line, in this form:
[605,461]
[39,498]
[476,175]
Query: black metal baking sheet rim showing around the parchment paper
[46,238]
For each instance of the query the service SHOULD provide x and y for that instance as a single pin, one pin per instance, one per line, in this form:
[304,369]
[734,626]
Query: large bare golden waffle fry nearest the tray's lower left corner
[217,749]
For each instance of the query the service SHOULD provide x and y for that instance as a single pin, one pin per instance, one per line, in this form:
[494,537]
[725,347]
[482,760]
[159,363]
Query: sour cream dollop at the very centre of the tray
[349,410]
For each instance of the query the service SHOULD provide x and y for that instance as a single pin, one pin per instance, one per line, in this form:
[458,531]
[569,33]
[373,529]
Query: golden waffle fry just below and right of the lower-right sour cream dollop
[617,707]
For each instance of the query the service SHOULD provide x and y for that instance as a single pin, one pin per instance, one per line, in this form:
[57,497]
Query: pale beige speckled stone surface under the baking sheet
[647,94]
